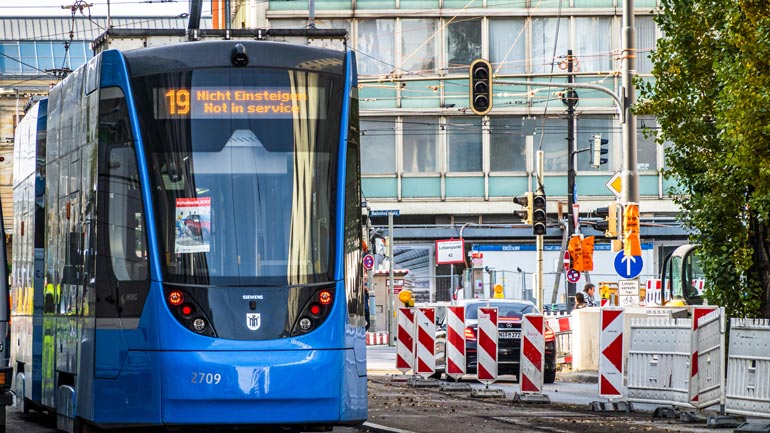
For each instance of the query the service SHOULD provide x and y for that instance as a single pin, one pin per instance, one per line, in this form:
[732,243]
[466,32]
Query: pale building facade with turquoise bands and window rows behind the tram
[452,174]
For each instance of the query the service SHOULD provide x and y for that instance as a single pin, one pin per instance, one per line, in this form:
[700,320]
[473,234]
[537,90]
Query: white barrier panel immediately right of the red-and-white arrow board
[659,361]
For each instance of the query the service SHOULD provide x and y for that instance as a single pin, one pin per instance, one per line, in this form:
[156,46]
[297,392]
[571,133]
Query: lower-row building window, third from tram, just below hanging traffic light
[464,145]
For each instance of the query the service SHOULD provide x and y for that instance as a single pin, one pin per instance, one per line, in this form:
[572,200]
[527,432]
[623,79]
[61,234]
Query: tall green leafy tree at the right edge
[711,95]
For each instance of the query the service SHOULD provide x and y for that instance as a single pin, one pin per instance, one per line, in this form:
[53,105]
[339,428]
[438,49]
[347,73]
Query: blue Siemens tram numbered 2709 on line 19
[187,241]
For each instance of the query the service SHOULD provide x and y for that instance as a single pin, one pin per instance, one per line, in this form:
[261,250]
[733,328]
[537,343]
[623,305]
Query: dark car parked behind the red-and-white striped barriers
[509,314]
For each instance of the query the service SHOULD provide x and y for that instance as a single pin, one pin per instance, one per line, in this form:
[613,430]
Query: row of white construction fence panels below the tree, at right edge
[681,362]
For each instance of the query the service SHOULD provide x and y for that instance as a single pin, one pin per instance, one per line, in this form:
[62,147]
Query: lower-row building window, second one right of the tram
[420,144]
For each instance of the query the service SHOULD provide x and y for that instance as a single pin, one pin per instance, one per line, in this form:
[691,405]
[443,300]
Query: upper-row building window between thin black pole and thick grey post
[594,53]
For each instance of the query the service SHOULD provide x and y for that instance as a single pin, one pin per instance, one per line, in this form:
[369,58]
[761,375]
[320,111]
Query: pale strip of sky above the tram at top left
[53,8]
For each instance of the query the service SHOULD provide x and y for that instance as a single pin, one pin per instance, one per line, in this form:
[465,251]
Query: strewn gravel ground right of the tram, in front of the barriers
[396,406]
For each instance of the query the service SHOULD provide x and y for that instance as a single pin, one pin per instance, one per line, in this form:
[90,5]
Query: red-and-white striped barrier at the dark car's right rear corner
[532,360]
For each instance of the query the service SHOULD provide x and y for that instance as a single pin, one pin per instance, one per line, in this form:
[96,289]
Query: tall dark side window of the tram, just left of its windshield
[122,267]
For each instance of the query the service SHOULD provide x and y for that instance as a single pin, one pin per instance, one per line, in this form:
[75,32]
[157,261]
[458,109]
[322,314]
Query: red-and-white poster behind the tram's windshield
[193,225]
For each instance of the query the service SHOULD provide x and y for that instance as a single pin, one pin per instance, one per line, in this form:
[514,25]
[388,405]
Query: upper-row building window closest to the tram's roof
[375,47]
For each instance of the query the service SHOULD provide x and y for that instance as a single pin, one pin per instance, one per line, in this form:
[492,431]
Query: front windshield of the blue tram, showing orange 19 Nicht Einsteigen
[243,169]
